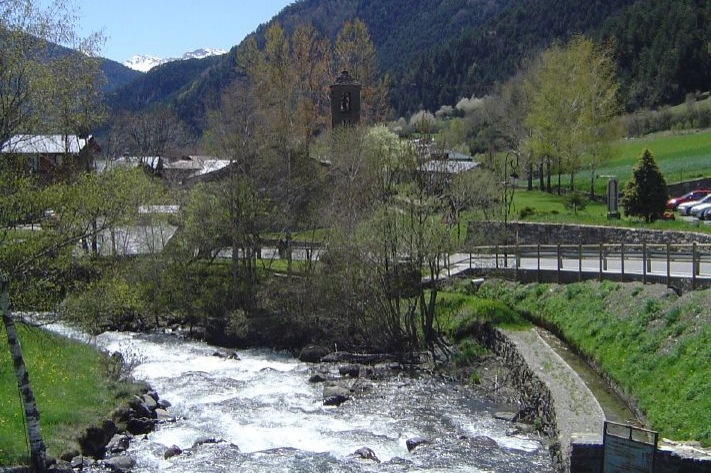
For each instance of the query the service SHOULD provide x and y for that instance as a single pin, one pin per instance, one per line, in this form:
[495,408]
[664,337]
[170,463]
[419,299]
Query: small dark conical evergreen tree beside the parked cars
[645,194]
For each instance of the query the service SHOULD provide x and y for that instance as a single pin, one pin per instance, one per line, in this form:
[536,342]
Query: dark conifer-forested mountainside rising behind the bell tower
[436,52]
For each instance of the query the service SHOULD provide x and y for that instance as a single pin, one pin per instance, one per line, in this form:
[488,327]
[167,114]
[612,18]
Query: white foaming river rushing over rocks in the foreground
[269,418]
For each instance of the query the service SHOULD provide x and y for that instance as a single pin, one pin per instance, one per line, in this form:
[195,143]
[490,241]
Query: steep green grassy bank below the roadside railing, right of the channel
[655,345]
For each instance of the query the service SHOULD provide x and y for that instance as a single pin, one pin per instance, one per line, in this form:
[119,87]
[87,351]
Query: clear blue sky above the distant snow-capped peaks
[169,28]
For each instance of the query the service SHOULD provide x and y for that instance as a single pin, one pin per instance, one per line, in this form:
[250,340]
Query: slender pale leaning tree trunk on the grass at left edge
[38,460]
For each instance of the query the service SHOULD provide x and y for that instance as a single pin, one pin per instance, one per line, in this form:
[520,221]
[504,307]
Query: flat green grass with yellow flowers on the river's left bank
[73,387]
